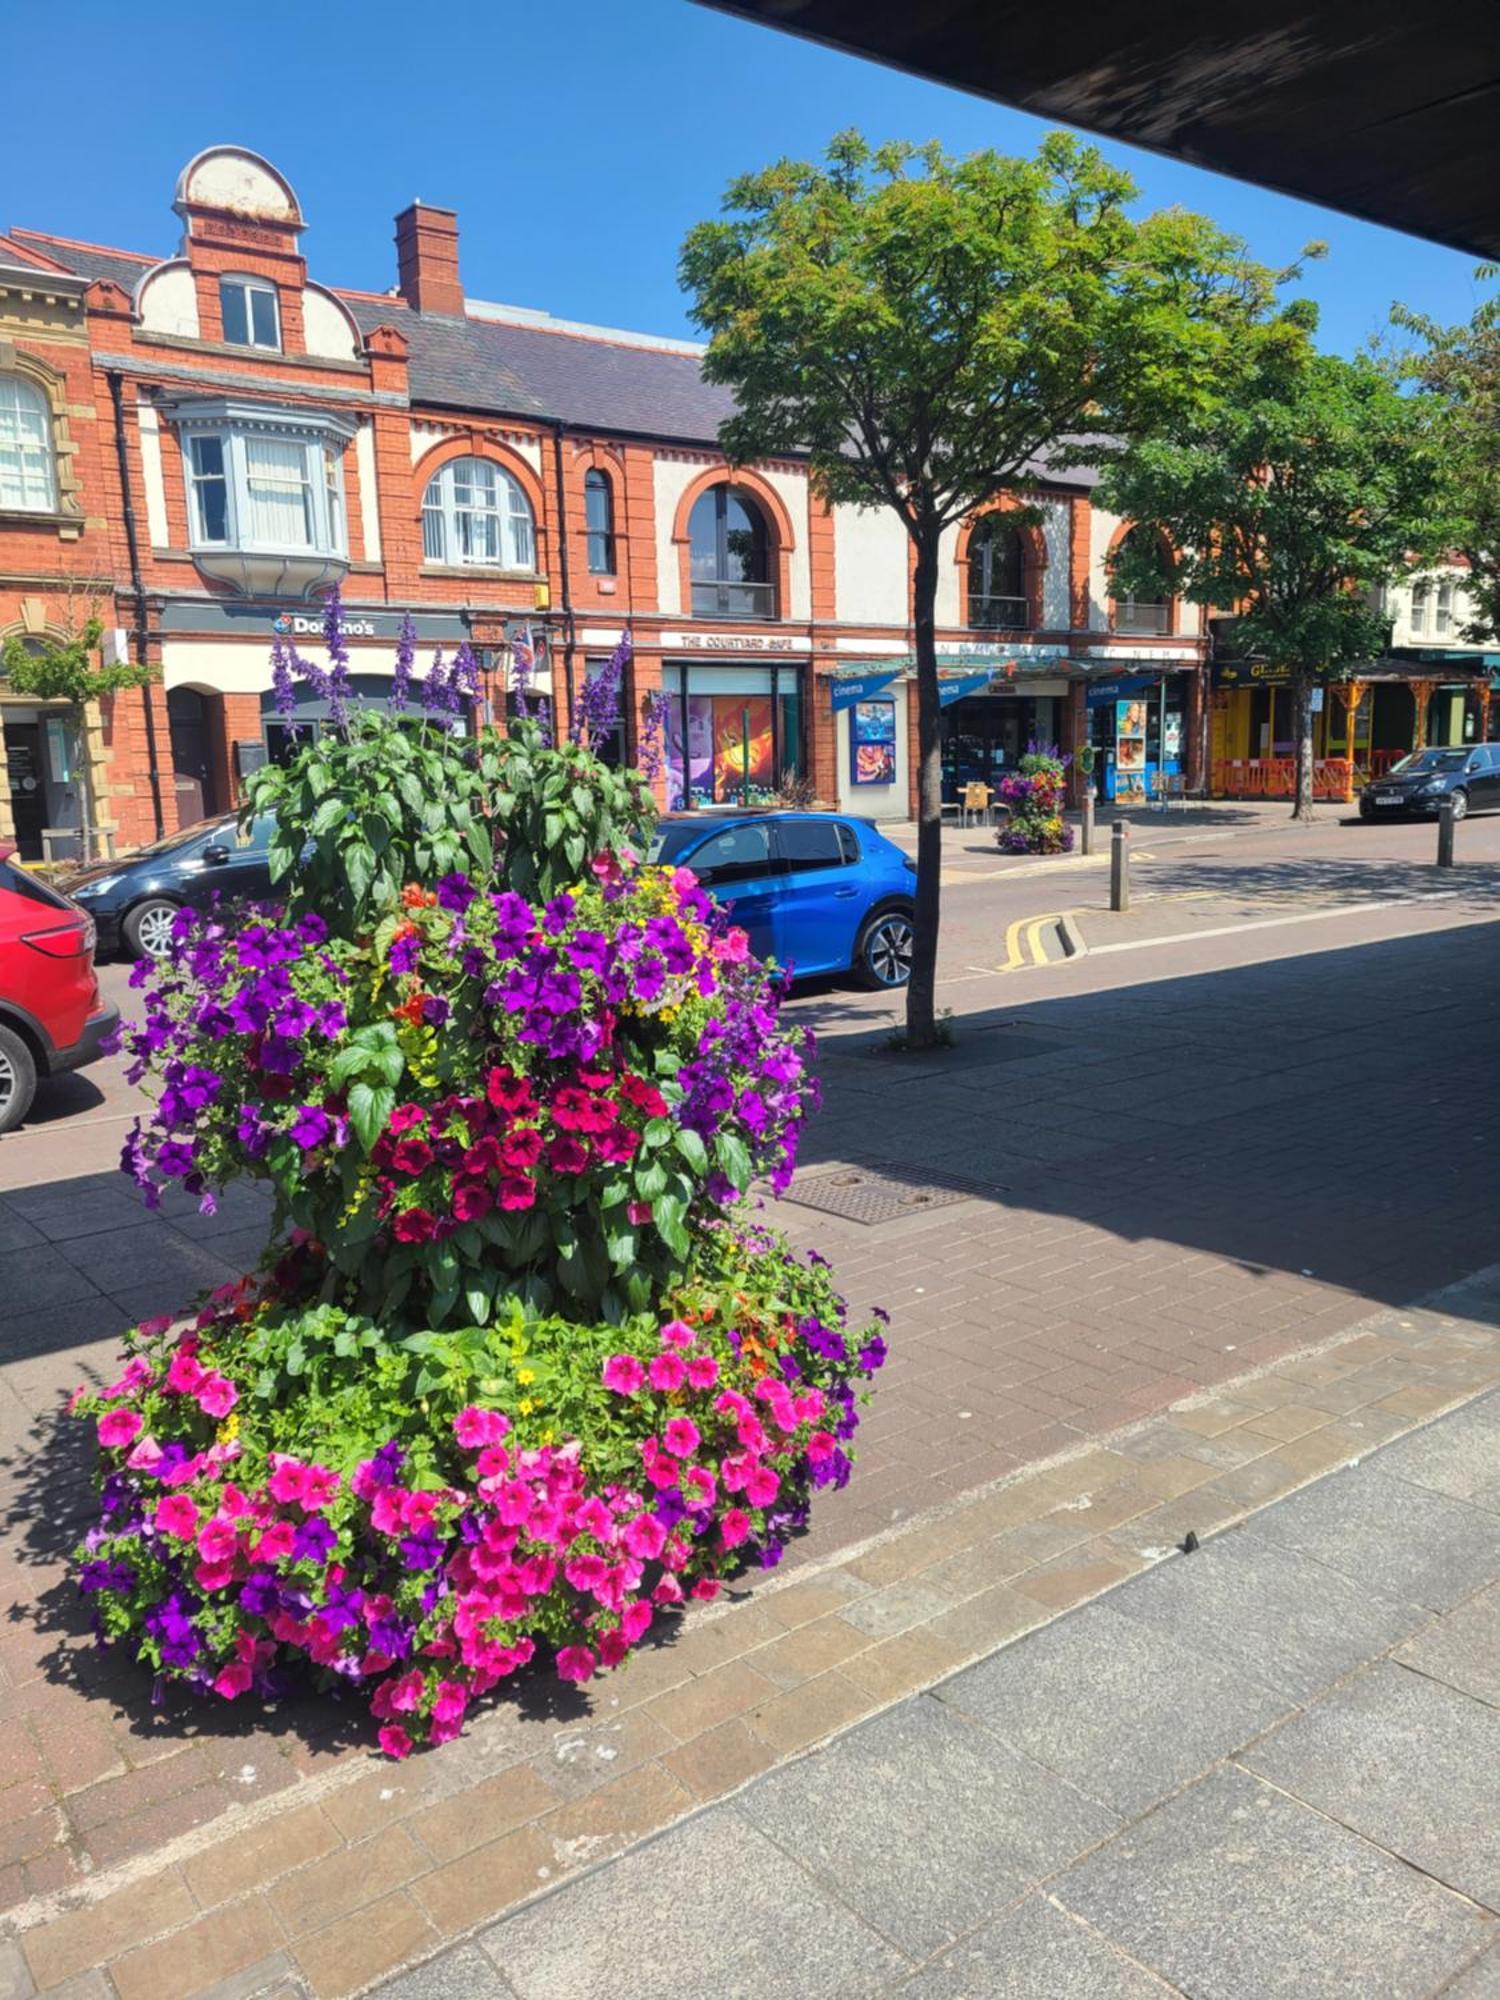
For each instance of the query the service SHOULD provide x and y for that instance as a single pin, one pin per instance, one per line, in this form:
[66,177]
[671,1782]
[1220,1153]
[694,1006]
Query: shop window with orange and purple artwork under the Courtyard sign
[735,735]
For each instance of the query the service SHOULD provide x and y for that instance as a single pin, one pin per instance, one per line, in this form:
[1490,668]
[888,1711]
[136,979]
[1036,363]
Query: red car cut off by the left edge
[53,1017]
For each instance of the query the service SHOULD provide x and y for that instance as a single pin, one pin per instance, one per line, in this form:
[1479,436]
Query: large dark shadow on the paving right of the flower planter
[1321,1115]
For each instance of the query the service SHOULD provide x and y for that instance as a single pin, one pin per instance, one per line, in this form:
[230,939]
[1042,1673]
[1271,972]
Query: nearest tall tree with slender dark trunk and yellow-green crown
[931,331]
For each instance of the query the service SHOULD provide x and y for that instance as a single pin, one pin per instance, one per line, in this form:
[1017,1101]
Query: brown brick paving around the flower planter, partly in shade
[1187,1185]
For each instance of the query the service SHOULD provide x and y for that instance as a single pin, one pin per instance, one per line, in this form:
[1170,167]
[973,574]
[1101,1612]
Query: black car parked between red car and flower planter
[137,897]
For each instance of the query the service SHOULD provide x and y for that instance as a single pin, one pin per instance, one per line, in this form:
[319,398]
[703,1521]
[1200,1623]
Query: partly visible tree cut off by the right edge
[1459,367]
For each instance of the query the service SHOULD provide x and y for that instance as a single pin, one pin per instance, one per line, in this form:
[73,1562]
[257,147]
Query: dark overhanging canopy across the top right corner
[1381,109]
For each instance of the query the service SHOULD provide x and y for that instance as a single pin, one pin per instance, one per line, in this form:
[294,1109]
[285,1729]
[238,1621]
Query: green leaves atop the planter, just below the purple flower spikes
[391,801]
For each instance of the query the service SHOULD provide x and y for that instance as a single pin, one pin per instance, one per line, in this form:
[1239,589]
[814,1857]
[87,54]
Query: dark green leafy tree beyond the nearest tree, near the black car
[1289,503]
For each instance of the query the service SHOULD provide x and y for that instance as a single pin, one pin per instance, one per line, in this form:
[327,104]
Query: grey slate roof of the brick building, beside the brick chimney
[503,369]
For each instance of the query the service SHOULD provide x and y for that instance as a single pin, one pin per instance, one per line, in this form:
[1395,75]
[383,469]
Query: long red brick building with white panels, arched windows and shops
[203,443]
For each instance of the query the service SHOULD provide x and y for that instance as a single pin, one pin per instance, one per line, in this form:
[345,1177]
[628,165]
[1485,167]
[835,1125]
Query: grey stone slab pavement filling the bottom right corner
[1265,1769]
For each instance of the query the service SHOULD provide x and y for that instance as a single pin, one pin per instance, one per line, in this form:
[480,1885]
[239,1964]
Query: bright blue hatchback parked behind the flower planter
[815,891]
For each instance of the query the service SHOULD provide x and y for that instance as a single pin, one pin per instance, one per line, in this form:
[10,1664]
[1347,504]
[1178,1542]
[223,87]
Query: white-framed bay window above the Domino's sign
[321,441]
